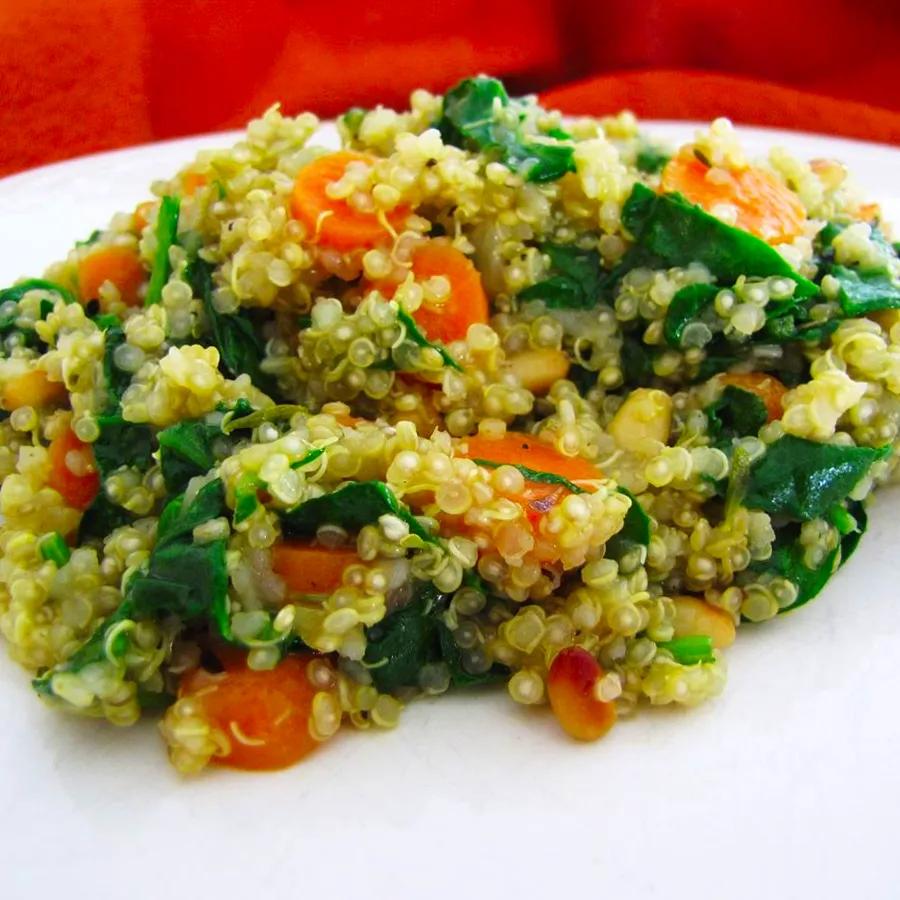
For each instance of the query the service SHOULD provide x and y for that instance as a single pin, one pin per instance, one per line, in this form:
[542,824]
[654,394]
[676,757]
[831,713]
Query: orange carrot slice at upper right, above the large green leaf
[765,206]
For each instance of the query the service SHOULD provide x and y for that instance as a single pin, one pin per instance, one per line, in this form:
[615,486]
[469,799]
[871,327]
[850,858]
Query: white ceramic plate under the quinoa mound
[786,787]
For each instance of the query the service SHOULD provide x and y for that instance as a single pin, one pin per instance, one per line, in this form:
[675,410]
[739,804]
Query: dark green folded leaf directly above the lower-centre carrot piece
[352,506]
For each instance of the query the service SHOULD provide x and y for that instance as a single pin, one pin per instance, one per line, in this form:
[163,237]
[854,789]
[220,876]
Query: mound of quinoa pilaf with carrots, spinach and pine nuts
[485,396]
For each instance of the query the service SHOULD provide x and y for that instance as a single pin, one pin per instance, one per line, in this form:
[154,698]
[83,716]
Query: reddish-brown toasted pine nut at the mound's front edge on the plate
[571,689]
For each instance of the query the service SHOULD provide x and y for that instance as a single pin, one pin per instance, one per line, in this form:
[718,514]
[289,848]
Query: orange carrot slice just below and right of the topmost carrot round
[467,302]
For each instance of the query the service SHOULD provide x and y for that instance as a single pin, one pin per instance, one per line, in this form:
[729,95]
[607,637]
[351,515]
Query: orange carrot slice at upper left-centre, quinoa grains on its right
[335,223]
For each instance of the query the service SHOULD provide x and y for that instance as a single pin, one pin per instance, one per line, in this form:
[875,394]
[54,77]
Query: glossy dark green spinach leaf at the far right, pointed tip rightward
[803,479]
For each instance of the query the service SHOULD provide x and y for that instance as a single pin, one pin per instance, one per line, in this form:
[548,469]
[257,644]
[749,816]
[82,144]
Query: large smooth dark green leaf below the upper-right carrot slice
[678,233]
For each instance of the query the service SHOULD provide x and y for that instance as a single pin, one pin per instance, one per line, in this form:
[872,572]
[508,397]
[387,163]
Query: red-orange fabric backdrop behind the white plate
[89,75]
